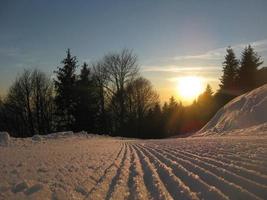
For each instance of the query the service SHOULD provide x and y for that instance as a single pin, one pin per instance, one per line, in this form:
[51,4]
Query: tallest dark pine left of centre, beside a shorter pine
[65,98]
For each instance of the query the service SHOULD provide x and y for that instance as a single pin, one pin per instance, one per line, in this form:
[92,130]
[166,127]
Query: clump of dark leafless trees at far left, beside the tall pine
[28,107]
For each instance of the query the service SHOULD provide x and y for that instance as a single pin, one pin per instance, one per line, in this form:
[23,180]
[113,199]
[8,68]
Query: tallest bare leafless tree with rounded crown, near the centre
[121,68]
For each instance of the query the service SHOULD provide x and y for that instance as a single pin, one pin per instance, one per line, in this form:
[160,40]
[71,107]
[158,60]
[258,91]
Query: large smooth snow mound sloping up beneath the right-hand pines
[246,114]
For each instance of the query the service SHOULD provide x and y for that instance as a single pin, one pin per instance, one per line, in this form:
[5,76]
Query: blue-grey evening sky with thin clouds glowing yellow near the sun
[172,38]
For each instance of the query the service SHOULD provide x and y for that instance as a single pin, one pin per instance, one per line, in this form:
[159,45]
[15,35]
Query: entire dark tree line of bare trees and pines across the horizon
[110,97]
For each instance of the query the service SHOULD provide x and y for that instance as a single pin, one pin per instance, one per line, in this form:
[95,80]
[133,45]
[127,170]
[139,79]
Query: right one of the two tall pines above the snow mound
[250,61]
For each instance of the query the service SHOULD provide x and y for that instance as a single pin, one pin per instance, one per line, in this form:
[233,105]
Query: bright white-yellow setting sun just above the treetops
[190,87]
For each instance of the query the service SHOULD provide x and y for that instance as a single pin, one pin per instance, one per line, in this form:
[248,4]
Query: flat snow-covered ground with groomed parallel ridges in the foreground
[79,166]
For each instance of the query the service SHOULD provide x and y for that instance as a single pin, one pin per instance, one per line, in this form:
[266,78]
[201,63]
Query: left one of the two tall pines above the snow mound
[230,69]
